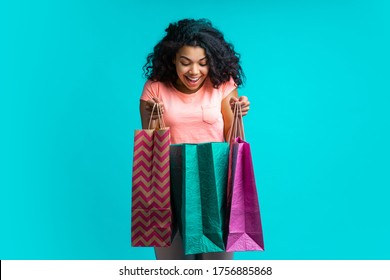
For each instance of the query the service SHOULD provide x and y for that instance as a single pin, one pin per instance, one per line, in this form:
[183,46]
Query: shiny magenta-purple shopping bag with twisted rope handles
[244,221]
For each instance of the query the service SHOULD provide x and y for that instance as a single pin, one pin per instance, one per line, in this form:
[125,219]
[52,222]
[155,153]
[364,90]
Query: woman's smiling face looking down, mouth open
[191,68]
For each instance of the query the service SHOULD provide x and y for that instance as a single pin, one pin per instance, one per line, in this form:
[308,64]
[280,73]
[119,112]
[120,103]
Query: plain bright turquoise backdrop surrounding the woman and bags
[318,81]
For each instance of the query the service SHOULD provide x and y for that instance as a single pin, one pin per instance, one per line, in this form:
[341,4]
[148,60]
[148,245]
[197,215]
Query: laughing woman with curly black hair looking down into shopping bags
[193,73]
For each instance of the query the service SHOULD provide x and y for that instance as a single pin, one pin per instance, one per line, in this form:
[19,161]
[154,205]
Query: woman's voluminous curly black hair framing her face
[222,59]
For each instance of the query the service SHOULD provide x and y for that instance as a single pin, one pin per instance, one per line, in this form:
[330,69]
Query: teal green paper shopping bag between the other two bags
[198,188]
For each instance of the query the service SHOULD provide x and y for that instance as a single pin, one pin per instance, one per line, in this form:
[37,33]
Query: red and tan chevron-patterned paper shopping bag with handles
[151,219]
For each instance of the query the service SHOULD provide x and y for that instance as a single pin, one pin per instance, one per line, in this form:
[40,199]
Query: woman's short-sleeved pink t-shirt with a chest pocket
[192,118]
